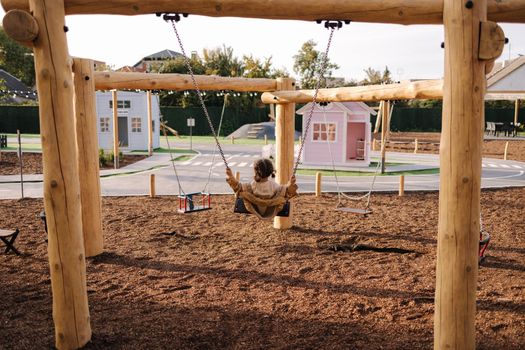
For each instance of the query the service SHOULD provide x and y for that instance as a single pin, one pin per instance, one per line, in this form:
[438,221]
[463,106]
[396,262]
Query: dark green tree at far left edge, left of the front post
[16,59]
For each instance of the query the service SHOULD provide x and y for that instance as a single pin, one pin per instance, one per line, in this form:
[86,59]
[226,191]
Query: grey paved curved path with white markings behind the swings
[193,175]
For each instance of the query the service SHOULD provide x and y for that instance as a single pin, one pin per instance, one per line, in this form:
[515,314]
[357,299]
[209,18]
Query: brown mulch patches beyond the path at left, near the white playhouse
[32,163]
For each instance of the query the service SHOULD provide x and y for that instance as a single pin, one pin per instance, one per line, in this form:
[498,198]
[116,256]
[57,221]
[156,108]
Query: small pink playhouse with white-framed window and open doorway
[340,127]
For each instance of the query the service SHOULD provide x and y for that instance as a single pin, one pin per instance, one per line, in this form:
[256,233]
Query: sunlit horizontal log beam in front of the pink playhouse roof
[424,89]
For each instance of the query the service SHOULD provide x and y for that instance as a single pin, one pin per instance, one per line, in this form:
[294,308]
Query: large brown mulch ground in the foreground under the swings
[218,280]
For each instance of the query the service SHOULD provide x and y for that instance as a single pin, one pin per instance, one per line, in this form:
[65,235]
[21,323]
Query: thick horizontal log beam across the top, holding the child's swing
[374,11]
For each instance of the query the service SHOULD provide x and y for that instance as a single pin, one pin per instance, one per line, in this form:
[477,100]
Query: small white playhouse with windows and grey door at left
[132,120]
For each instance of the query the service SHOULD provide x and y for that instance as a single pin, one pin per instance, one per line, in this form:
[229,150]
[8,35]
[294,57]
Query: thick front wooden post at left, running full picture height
[61,184]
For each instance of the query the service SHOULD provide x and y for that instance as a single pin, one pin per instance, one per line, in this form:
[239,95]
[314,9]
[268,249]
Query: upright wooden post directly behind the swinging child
[284,146]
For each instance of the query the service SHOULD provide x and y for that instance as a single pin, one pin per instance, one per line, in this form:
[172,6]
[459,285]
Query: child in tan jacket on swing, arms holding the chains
[262,197]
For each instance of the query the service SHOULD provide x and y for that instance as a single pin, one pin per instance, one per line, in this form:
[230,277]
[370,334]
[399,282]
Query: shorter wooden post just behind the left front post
[88,162]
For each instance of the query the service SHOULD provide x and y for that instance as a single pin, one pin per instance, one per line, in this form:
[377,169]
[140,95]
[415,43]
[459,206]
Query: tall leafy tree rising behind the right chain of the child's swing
[307,63]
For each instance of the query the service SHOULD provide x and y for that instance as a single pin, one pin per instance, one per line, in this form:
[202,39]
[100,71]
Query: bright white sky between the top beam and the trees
[408,51]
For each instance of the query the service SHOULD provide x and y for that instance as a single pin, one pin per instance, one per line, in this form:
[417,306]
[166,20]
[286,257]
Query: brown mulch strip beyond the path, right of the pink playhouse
[429,143]
